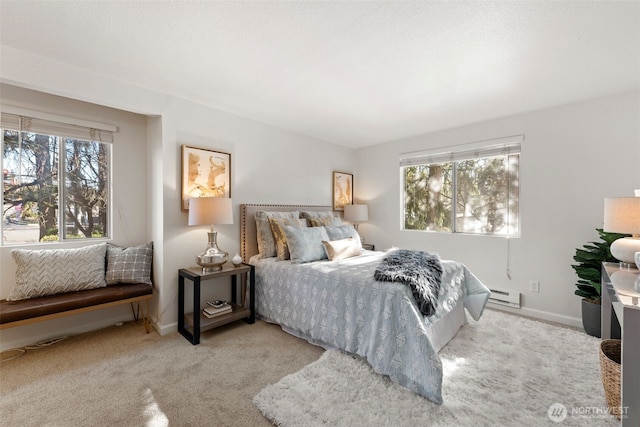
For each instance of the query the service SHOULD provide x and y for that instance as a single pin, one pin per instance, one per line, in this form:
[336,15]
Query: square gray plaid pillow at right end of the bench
[129,265]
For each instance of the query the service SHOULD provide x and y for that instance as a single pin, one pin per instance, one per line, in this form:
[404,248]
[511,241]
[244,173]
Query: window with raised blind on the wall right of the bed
[474,189]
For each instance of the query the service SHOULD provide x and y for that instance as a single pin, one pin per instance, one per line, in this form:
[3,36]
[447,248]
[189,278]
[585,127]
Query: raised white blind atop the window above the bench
[50,127]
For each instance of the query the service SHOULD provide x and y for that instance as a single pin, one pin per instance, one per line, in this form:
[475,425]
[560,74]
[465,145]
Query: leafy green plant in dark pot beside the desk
[589,269]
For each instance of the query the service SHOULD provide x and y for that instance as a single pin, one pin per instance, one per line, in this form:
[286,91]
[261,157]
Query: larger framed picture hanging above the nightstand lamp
[205,173]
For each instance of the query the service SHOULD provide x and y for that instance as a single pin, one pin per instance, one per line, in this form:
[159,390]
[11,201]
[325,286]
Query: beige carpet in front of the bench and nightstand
[121,376]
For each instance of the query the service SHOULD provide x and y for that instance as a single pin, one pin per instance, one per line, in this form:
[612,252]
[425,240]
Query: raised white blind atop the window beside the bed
[488,148]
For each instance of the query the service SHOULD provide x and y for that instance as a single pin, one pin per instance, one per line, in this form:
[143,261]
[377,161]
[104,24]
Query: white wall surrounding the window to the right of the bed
[572,158]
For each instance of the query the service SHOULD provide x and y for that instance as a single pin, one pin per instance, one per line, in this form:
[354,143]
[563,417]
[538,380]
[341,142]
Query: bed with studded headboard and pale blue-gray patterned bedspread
[339,305]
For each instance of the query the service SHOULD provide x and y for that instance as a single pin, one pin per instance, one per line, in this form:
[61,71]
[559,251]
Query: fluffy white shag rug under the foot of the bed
[504,370]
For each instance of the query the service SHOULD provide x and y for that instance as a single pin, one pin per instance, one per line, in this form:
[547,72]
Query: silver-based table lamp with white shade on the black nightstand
[211,211]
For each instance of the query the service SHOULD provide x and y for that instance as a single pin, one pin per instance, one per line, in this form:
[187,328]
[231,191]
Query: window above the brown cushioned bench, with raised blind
[55,183]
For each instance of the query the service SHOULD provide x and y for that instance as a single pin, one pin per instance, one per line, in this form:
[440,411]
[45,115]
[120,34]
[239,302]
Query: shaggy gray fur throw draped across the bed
[421,271]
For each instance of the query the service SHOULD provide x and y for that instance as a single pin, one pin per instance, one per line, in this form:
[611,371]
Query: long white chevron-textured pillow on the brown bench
[43,272]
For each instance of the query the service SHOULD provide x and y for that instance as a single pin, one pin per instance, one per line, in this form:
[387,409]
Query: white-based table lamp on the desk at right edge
[622,215]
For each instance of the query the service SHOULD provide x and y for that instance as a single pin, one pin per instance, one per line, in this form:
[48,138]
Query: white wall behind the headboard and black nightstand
[268,165]
